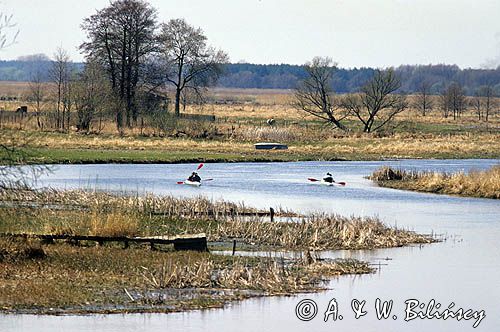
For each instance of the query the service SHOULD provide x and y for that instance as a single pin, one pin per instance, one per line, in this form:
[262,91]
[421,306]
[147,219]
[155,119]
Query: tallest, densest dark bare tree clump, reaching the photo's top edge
[121,37]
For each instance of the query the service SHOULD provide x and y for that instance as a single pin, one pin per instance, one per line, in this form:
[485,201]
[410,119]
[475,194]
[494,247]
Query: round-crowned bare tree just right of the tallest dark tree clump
[189,62]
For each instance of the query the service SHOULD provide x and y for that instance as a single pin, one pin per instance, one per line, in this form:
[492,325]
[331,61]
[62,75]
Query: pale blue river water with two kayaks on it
[465,269]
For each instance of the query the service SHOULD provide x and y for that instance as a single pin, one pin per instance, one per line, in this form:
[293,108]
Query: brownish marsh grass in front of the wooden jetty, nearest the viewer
[73,279]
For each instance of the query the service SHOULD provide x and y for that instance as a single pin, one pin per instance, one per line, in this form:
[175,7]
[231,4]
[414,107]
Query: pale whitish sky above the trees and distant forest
[354,33]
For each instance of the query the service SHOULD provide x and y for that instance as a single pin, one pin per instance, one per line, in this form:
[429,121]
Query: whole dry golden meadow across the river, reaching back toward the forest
[240,122]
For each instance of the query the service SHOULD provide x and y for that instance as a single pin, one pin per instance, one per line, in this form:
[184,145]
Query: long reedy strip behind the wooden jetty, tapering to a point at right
[60,211]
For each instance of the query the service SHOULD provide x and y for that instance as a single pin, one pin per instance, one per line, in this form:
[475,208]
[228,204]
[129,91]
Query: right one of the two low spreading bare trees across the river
[377,103]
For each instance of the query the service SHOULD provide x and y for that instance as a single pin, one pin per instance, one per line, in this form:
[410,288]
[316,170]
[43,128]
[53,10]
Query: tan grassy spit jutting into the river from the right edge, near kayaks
[484,184]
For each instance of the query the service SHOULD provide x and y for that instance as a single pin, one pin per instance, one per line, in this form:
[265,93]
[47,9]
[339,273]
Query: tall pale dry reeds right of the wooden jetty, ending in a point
[321,232]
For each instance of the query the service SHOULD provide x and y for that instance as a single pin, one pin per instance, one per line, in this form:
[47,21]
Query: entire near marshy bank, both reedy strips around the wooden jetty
[68,277]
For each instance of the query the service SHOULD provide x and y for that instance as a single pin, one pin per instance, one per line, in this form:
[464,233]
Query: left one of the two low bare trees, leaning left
[314,95]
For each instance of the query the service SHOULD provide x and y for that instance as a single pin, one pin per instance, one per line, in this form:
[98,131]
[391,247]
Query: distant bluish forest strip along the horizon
[284,76]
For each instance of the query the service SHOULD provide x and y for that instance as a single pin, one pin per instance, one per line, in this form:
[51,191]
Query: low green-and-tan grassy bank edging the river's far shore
[61,148]
